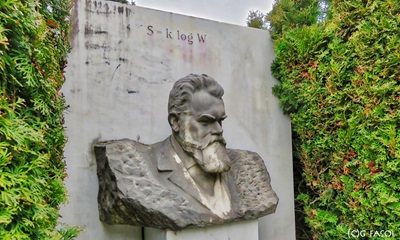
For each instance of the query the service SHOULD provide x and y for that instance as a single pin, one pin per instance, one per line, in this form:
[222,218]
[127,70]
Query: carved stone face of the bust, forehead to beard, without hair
[200,132]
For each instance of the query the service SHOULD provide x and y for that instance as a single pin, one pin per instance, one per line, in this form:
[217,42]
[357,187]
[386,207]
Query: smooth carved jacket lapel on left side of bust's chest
[166,163]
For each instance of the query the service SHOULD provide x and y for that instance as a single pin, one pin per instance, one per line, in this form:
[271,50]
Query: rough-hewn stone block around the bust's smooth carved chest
[132,192]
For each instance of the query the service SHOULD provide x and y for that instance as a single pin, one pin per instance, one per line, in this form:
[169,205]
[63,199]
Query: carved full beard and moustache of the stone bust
[210,153]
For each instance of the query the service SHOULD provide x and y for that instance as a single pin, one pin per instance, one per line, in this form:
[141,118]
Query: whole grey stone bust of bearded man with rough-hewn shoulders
[188,180]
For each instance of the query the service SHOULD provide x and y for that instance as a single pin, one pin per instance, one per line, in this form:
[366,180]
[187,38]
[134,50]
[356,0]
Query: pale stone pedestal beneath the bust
[234,231]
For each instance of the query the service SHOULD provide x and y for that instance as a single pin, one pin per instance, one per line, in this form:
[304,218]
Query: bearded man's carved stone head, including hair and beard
[195,113]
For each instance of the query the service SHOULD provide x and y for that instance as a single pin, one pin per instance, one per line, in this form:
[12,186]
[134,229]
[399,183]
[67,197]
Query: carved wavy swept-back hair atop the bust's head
[183,90]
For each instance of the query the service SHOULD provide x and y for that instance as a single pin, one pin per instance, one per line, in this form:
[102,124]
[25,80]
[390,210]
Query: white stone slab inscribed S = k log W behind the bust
[123,63]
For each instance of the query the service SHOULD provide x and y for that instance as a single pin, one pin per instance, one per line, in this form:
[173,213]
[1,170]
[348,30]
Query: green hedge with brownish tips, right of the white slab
[340,83]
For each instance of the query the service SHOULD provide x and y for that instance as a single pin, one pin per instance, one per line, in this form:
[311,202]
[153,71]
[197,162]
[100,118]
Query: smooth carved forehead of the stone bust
[202,102]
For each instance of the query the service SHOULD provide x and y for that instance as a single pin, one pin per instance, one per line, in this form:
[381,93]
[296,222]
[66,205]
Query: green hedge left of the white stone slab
[33,48]
